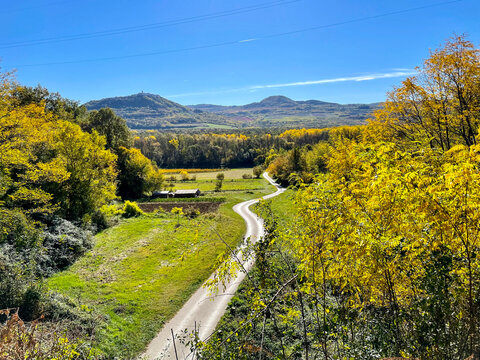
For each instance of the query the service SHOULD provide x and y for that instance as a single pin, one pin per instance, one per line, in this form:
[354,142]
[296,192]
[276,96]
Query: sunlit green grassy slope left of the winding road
[141,271]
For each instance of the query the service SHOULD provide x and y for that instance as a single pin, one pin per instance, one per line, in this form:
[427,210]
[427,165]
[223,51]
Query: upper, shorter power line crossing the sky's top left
[146,27]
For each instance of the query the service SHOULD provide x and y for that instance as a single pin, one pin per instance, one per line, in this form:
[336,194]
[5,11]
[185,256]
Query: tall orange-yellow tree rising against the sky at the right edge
[440,105]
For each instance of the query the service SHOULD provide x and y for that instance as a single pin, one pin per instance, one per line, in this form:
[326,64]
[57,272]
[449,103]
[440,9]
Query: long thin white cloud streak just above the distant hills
[368,77]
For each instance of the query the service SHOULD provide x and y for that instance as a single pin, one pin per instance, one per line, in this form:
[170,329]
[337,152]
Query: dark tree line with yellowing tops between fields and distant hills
[218,150]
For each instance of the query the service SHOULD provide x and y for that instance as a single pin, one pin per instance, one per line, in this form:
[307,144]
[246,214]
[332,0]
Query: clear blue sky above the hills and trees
[227,51]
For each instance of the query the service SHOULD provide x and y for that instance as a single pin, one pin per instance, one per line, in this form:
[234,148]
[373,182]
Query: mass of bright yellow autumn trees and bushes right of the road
[384,249]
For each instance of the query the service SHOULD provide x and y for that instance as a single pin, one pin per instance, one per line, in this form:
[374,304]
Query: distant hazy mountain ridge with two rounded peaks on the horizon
[150,111]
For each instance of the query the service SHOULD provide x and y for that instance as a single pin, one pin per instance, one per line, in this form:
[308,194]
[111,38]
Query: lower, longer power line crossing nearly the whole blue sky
[234,42]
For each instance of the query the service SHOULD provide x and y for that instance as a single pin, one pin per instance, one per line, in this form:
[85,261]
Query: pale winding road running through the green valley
[201,309]
